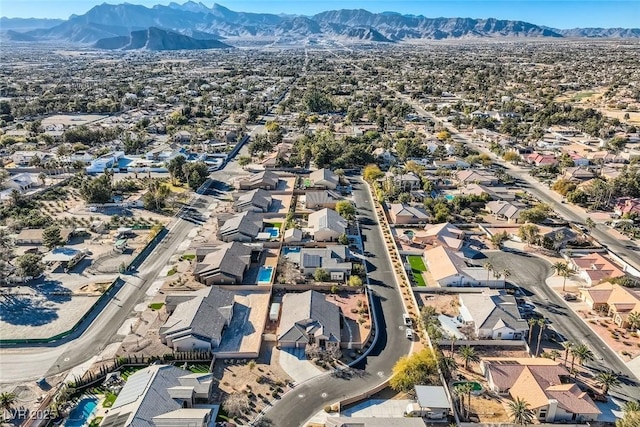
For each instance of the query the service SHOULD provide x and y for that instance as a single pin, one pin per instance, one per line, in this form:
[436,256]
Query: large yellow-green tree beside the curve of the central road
[418,368]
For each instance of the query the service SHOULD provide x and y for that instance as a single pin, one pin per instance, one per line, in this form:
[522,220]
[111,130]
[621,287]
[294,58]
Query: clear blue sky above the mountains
[552,13]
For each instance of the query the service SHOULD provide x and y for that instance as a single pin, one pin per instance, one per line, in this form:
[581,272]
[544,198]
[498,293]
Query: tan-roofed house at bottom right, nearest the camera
[544,384]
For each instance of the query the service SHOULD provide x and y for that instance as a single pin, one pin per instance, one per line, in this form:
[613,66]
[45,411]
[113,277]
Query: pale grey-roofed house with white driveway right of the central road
[493,315]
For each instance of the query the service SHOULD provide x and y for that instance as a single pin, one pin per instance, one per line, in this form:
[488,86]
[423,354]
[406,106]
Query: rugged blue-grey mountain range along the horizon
[127,24]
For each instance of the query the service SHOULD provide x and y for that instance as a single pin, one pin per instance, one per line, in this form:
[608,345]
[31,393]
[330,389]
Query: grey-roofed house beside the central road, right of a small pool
[333,259]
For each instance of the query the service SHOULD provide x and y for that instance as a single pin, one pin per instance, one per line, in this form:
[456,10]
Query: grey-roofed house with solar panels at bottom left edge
[163,396]
